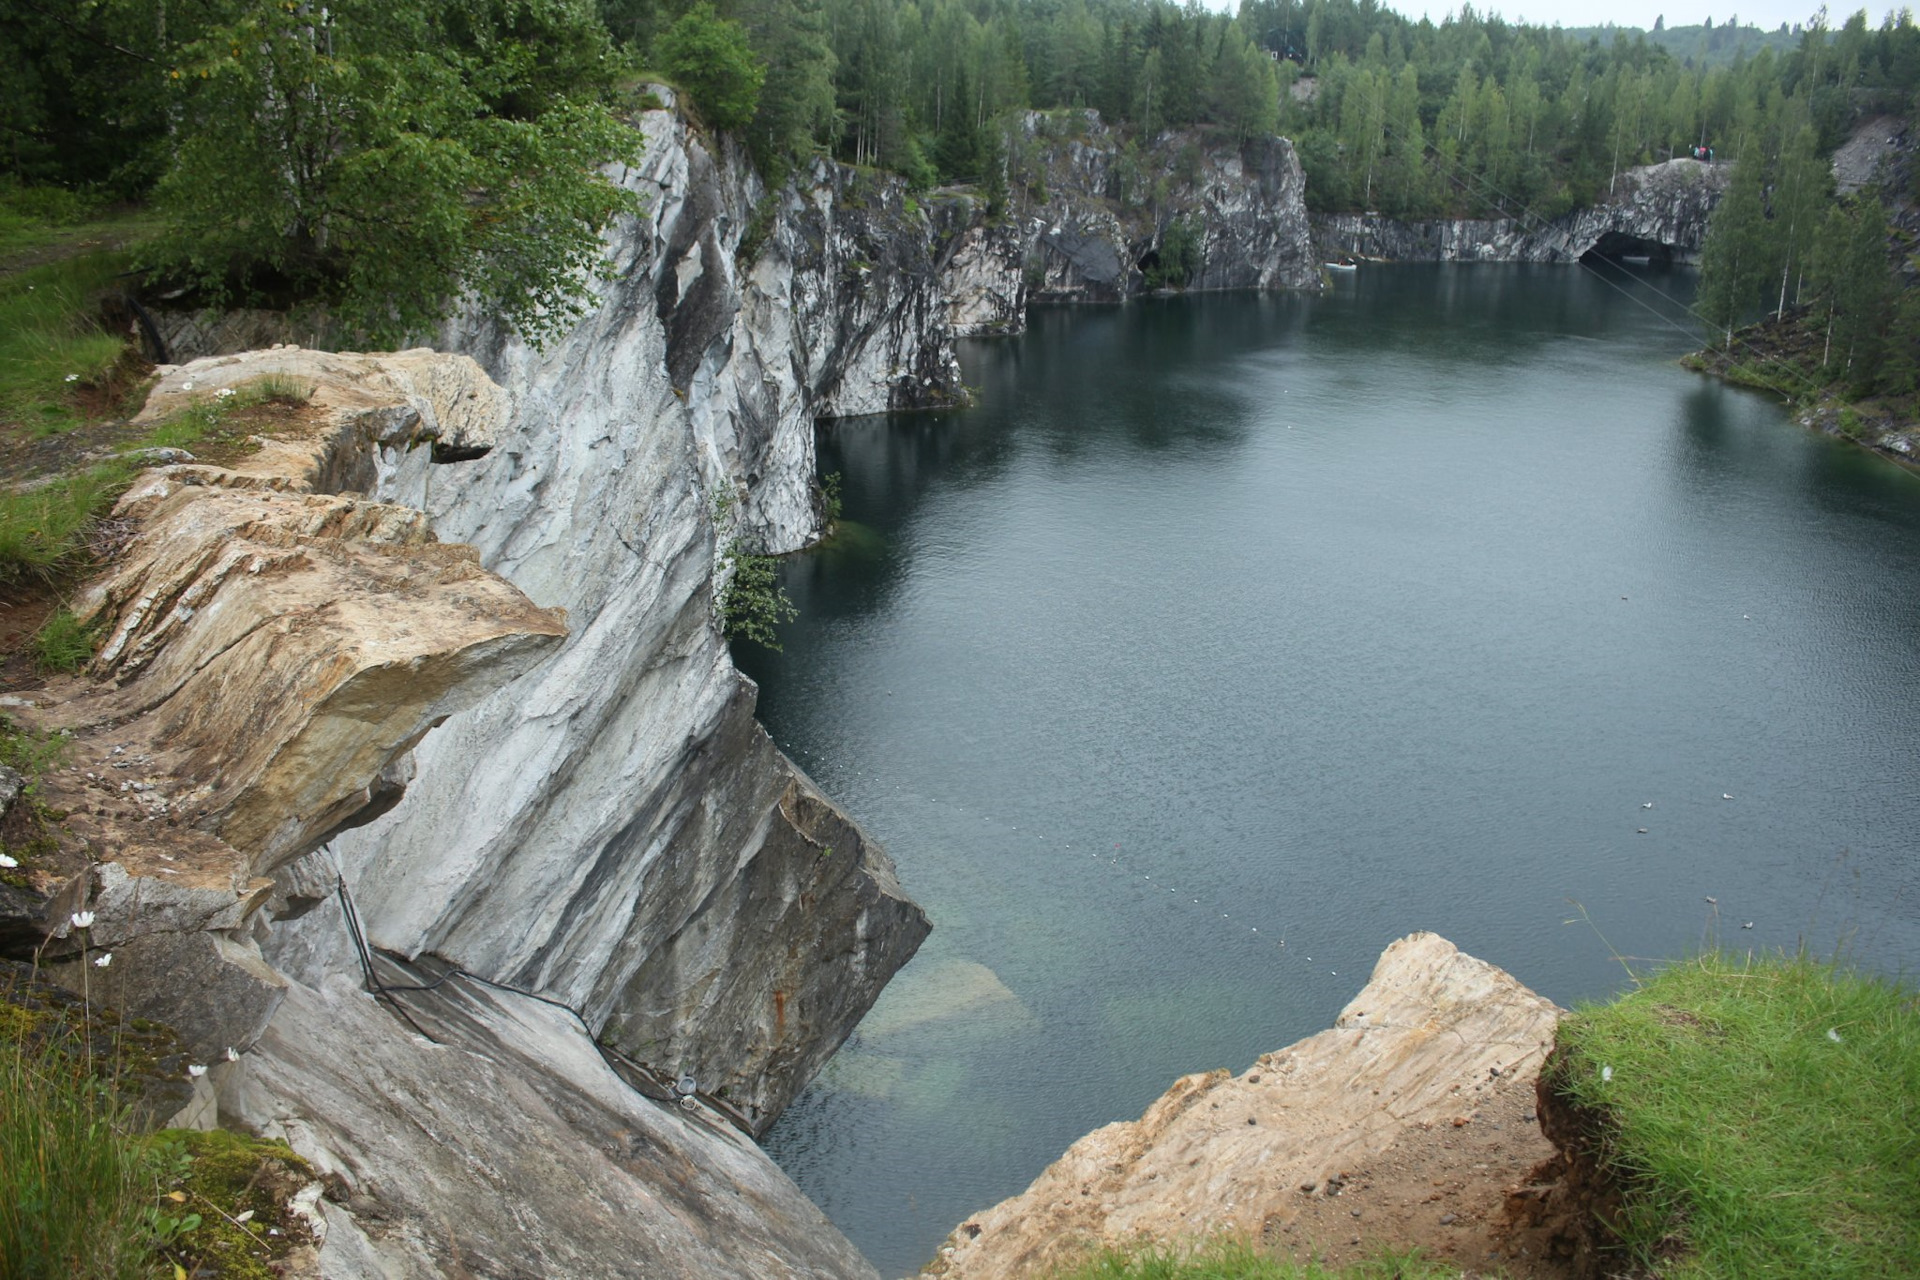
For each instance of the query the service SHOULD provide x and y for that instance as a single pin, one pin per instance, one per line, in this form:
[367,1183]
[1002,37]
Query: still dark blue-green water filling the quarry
[1228,623]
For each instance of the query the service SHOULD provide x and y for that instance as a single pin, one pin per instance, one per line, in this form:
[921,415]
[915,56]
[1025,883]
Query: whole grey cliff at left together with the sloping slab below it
[608,826]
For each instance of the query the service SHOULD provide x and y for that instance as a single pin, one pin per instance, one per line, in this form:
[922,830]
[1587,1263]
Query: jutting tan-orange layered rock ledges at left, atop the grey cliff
[274,648]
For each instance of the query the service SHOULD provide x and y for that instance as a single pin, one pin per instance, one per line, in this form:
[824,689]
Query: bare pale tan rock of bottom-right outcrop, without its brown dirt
[1418,1047]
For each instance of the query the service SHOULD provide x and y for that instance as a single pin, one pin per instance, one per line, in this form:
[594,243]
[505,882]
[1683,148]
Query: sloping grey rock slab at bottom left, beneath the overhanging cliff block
[506,1147]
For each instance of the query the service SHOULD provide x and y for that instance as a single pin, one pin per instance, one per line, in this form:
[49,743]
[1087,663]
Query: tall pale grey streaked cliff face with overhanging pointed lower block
[615,830]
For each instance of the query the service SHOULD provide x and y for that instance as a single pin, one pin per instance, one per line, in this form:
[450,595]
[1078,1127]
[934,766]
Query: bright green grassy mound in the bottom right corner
[1764,1118]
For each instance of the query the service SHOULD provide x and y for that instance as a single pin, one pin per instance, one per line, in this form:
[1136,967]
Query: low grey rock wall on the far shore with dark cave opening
[1656,210]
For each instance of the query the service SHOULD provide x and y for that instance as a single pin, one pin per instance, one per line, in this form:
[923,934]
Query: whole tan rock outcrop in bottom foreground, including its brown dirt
[1330,1149]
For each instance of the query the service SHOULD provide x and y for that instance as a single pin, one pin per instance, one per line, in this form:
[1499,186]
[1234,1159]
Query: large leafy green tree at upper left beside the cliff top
[391,156]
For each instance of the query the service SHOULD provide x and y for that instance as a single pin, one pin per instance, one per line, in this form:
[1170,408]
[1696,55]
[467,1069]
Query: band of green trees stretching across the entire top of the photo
[385,154]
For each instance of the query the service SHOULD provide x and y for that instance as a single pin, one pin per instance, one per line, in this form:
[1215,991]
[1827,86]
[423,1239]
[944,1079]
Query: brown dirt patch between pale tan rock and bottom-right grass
[1445,1191]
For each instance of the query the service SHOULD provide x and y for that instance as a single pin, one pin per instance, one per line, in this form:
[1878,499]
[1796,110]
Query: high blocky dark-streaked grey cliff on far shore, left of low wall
[1090,218]
